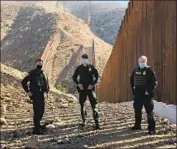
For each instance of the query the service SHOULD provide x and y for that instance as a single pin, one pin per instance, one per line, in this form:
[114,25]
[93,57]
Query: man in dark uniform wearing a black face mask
[38,86]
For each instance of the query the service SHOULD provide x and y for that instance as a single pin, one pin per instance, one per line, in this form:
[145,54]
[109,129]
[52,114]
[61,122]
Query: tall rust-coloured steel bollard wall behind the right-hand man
[148,28]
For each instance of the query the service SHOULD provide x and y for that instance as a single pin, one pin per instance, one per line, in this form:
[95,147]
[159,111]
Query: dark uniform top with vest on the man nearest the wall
[143,80]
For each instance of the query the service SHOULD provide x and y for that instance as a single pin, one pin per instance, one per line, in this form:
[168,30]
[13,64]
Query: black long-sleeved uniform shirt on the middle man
[87,75]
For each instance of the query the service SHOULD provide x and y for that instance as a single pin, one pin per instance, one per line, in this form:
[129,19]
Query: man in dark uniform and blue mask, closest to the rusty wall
[143,82]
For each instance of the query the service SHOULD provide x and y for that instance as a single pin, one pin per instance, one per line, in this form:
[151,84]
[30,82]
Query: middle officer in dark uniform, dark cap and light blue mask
[88,77]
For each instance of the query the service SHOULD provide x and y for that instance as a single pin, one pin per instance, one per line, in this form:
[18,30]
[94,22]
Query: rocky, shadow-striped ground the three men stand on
[63,118]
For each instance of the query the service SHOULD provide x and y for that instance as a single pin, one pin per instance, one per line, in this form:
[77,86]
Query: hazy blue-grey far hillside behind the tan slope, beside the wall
[105,16]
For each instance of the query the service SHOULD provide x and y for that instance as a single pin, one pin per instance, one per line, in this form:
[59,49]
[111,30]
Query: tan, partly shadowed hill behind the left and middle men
[28,28]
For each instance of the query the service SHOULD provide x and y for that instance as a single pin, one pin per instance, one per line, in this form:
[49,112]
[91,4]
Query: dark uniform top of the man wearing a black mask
[38,81]
